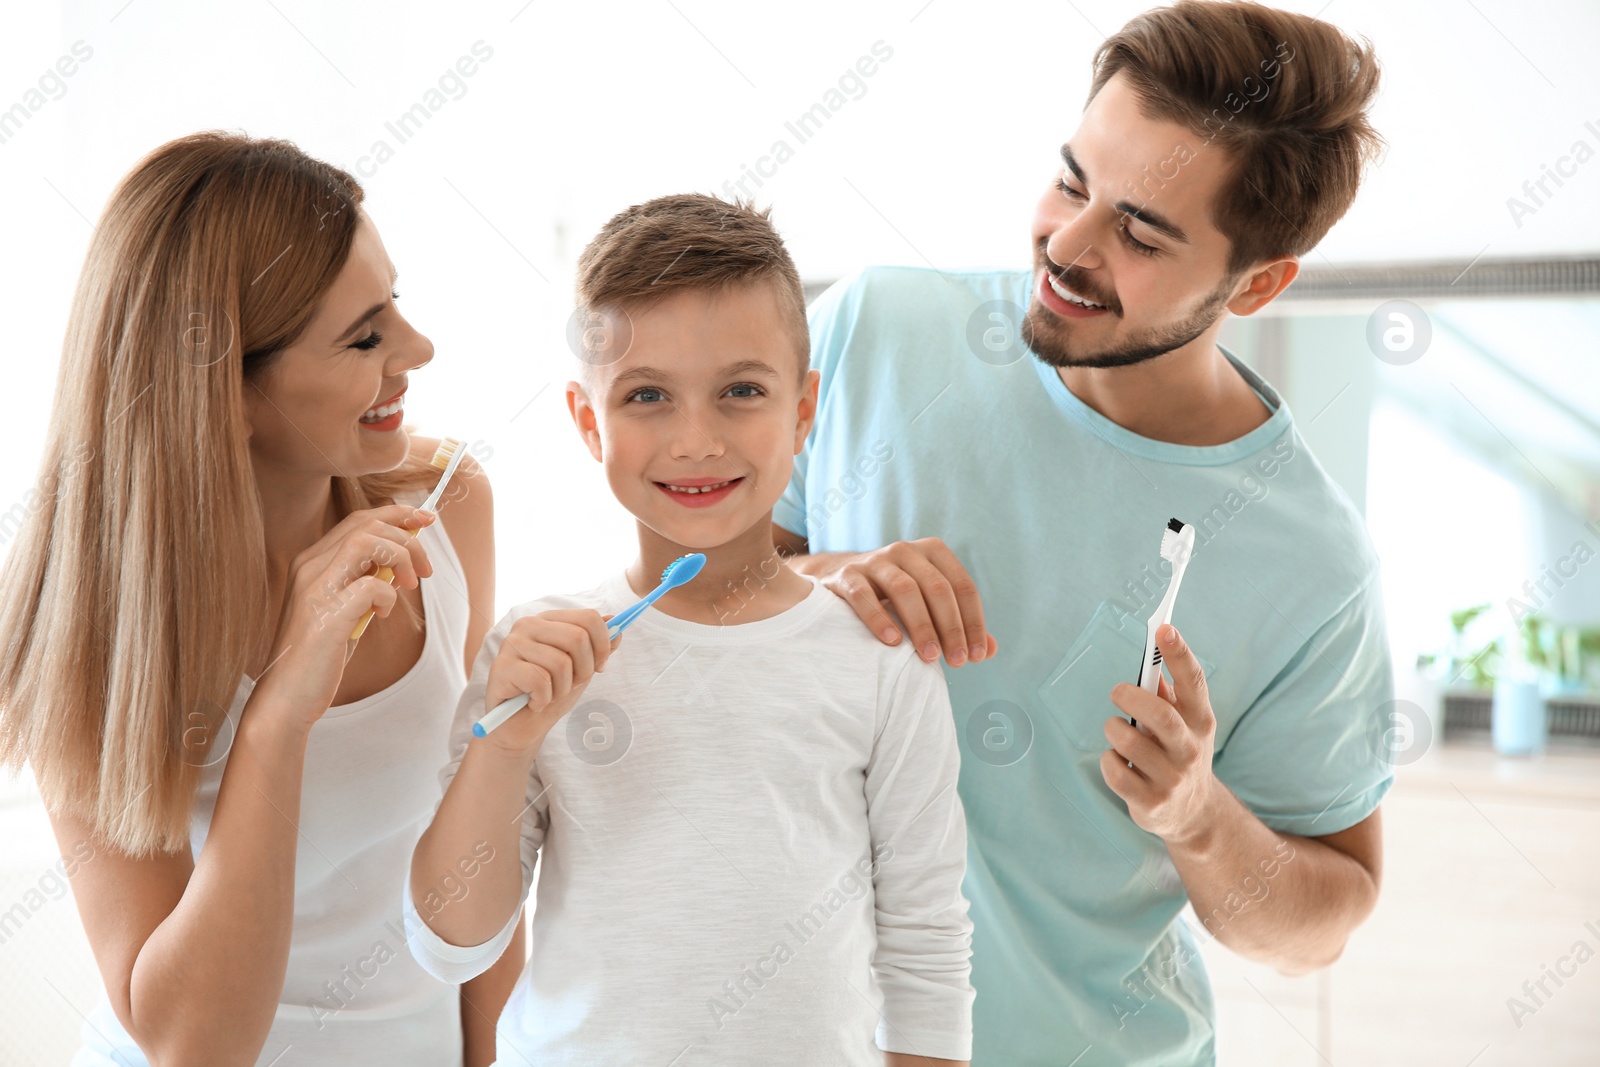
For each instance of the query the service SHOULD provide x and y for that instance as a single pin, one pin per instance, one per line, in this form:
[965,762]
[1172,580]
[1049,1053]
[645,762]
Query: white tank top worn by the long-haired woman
[353,993]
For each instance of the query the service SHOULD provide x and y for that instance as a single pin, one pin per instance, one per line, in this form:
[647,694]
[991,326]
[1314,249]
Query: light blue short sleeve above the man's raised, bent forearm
[1308,757]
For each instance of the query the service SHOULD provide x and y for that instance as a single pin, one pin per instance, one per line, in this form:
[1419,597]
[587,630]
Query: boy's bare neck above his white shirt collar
[743,581]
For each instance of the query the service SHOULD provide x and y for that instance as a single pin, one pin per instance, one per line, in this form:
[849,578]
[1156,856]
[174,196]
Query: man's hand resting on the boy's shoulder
[930,591]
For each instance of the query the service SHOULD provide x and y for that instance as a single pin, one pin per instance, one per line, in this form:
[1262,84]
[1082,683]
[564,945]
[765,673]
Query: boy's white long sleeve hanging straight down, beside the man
[919,849]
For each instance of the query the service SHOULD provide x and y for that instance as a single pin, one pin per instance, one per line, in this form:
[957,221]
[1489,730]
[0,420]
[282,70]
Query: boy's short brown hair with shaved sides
[690,242]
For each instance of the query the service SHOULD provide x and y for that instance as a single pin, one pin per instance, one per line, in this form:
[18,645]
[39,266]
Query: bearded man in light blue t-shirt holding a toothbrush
[1218,146]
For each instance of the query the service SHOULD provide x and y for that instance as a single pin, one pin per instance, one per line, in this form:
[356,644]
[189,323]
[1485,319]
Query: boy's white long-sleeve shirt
[753,850]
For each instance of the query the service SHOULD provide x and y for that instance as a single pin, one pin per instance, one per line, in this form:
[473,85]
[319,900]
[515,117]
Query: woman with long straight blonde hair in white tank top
[175,625]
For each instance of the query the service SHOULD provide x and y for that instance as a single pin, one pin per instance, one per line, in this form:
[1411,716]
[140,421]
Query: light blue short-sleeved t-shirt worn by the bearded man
[935,422]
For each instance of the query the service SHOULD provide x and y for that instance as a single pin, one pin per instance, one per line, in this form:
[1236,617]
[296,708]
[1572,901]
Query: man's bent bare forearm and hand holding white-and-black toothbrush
[1278,898]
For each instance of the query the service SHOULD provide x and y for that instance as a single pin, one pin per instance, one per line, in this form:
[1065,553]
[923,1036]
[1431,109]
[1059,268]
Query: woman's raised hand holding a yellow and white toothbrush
[330,588]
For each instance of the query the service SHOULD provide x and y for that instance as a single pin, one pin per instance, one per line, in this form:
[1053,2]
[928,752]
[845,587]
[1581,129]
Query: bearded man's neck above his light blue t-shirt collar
[1191,396]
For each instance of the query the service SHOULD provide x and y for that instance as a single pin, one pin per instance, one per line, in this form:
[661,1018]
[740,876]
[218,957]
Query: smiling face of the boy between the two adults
[698,426]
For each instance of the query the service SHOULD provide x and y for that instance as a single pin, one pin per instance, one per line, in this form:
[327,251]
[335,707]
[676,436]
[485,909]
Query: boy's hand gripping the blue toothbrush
[551,657]
